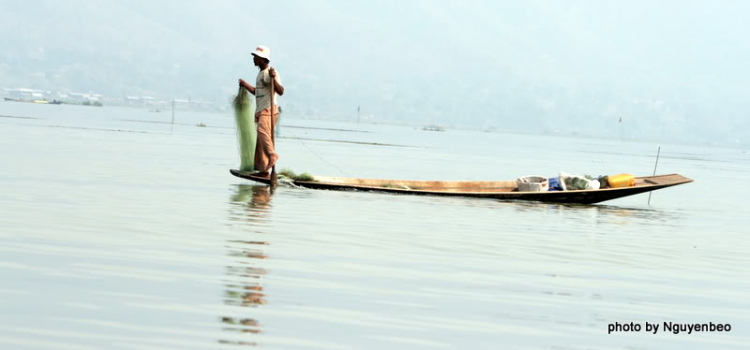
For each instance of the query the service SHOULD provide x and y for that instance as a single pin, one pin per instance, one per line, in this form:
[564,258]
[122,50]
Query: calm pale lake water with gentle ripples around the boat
[119,230]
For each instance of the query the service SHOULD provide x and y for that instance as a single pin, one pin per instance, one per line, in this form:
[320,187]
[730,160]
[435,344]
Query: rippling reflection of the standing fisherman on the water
[250,205]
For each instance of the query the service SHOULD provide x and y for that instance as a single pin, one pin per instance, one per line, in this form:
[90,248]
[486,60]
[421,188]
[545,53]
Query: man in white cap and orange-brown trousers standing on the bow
[265,154]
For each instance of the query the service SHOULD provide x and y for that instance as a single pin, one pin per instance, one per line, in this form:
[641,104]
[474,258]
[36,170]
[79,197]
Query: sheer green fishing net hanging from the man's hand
[244,115]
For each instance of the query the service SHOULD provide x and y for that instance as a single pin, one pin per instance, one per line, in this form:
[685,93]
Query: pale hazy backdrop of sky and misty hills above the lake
[669,69]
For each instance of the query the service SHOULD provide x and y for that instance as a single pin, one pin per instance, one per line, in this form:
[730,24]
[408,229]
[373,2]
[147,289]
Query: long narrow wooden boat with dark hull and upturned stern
[504,190]
